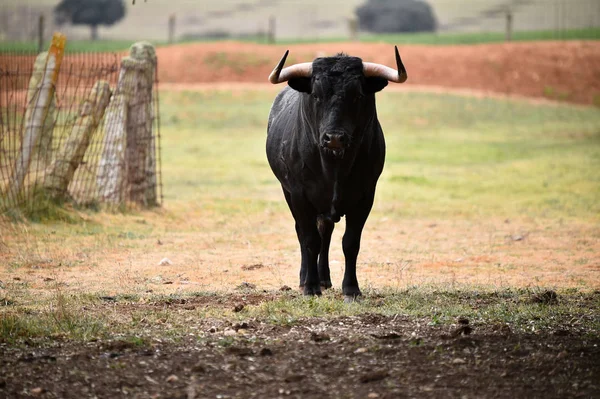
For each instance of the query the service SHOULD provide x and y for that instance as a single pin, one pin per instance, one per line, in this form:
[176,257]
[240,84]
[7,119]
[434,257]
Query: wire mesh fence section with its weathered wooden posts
[90,137]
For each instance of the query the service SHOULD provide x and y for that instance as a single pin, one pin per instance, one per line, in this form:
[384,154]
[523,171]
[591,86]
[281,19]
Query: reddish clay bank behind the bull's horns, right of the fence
[563,70]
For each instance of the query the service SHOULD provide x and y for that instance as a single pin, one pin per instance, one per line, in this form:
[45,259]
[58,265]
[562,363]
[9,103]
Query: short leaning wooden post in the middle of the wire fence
[71,155]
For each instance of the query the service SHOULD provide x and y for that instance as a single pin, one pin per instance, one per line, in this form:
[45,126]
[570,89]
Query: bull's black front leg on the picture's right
[355,221]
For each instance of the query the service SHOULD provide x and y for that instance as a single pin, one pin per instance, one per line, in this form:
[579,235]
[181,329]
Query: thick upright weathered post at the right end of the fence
[127,169]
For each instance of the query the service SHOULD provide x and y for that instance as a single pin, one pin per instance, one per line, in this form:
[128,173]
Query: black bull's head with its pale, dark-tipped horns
[340,94]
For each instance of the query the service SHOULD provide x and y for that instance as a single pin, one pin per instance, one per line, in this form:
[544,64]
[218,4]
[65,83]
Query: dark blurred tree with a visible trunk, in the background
[89,12]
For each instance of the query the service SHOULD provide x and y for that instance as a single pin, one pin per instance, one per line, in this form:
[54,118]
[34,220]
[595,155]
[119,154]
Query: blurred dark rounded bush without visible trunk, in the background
[390,16]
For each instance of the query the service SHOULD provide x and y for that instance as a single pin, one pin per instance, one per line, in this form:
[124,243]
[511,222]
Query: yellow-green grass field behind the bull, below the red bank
[447,156]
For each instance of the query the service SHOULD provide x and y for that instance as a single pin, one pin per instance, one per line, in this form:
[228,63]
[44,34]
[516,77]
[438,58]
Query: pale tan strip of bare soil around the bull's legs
[263,251]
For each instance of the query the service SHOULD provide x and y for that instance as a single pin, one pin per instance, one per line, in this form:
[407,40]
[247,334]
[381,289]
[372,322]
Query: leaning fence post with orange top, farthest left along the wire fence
[38,122]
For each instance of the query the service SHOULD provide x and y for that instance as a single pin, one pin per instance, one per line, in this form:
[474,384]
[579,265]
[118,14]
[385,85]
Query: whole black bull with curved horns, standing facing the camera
[326,147]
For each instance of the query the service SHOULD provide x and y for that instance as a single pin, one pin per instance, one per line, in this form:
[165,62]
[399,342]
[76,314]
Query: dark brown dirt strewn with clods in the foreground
[366,356]
